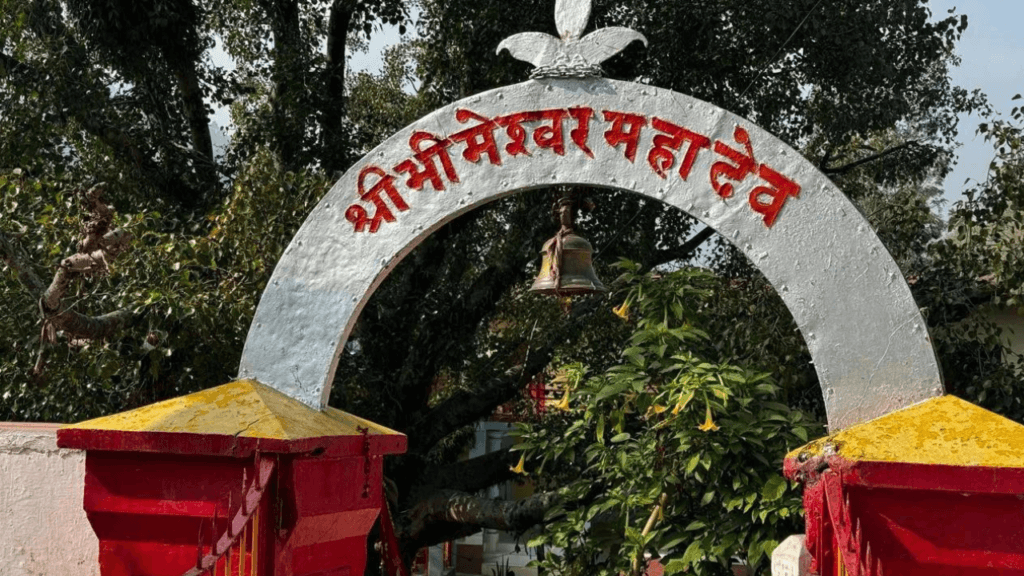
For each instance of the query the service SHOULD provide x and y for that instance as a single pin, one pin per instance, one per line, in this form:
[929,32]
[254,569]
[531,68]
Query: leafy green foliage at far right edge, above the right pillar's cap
[978,273]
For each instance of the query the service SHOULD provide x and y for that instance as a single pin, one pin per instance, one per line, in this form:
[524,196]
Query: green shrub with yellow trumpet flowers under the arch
[669,420]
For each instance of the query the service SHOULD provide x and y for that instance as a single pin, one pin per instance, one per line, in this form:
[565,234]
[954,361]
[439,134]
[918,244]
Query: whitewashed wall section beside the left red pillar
[44,529]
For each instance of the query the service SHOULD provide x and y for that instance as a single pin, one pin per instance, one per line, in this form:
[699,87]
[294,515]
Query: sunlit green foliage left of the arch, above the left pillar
[193,284]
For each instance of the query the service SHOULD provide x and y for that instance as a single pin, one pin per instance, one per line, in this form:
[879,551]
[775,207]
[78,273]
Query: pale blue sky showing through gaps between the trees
[993,60]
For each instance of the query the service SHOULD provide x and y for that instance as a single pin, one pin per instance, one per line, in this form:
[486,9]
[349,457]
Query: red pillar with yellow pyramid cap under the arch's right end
[932,490]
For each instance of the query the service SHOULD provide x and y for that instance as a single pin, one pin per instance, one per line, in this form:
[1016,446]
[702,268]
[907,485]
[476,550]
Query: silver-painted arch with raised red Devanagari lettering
[866,335]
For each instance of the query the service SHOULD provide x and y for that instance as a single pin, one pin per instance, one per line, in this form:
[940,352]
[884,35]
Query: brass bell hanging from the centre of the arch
[567,266]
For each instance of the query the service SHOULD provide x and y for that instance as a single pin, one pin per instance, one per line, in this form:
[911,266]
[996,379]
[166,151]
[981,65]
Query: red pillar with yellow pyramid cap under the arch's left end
[237,480]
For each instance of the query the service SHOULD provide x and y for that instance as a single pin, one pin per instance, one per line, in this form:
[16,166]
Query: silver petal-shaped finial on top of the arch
[571,56]
